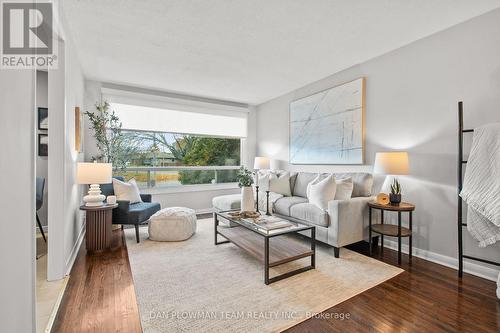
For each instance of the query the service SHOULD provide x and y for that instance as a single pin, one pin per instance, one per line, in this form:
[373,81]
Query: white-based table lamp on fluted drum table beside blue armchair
[94,174]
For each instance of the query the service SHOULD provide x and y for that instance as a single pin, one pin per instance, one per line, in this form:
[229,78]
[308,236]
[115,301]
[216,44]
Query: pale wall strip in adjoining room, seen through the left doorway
[42,83]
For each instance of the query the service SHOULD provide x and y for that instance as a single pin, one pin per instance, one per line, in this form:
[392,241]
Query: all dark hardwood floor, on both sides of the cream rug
[426,297]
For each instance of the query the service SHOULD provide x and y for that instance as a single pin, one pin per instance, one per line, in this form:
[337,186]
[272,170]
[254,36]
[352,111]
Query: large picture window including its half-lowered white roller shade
[157,154]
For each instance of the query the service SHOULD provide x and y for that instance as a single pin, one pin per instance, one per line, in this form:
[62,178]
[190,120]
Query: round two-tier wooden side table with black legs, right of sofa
[391,230]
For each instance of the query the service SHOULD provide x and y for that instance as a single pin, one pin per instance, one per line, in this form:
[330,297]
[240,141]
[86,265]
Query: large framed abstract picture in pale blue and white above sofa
[328,127]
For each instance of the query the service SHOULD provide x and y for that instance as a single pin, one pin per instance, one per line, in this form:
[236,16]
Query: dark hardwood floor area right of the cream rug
[427,297]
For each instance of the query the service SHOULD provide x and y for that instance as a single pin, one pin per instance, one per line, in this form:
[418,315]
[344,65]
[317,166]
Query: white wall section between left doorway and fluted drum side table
[66,222]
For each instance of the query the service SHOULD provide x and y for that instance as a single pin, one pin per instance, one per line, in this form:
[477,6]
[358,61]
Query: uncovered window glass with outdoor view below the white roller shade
[159,159]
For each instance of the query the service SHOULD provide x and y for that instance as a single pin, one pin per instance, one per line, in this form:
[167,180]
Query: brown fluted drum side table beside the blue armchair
[98,233]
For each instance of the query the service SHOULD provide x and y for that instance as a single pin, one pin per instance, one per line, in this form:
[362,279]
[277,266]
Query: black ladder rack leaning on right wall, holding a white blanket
[461,163]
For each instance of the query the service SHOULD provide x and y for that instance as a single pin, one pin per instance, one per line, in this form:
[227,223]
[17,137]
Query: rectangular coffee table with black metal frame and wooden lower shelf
[272,247]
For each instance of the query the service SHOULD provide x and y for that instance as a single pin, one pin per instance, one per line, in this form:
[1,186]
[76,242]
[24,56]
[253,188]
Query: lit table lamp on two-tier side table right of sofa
[392,163]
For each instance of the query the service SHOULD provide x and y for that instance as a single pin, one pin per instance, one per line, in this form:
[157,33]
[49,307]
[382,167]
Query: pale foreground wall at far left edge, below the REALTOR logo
[17,201]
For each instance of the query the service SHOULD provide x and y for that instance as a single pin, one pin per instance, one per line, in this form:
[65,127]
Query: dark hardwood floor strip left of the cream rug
[100,295]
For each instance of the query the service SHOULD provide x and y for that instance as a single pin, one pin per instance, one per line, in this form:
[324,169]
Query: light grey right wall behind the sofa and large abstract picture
[411,104]
